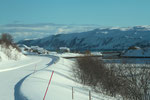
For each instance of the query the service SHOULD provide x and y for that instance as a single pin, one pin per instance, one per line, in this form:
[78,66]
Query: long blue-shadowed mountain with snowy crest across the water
[114,38]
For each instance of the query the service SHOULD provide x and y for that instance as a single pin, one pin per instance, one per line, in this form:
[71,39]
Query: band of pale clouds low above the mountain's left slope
[32,31]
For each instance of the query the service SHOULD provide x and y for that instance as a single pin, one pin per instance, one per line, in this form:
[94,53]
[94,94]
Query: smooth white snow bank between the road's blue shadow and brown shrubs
[61,84]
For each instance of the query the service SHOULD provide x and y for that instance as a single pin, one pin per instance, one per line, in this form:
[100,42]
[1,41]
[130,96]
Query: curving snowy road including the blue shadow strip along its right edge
[11,78]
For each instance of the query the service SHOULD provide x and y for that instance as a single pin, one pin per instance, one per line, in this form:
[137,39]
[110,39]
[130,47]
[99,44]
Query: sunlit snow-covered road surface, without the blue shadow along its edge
[12,72]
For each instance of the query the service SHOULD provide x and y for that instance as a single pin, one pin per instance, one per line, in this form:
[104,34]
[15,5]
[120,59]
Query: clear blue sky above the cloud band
[101,12]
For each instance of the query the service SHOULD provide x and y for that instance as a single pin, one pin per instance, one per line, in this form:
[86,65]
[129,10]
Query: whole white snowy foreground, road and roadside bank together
[20,81]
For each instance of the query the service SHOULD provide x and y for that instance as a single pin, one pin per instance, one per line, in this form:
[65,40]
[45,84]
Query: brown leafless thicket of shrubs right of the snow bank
[127,80]
